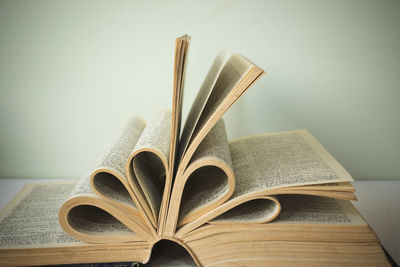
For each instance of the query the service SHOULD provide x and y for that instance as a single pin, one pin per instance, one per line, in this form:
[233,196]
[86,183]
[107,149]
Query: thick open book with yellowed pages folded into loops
[274,198]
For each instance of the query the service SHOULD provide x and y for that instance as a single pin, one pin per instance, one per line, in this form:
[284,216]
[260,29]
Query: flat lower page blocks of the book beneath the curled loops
[310,230]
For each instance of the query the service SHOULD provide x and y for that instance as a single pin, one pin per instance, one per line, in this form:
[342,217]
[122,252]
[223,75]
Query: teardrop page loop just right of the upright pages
[208,181]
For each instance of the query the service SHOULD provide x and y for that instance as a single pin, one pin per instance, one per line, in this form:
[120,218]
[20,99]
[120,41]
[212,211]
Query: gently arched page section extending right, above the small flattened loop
[279,163]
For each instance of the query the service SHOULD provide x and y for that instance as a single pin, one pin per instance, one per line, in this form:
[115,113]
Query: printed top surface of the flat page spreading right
[285,159]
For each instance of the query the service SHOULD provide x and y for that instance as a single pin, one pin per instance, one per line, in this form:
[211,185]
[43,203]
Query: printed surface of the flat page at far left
[30,220]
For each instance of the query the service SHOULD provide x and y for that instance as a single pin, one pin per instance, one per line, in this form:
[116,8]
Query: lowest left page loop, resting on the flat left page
[89,218]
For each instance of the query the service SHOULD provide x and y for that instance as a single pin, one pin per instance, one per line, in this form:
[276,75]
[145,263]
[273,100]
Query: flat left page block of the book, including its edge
[30,234]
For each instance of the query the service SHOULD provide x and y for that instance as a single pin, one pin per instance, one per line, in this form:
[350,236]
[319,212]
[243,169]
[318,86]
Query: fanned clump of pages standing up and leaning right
[235,77]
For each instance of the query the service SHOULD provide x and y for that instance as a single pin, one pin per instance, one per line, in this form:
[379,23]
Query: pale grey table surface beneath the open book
[378,202]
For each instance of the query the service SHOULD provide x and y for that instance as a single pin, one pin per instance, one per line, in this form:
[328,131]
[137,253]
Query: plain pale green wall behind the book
[71,70]
